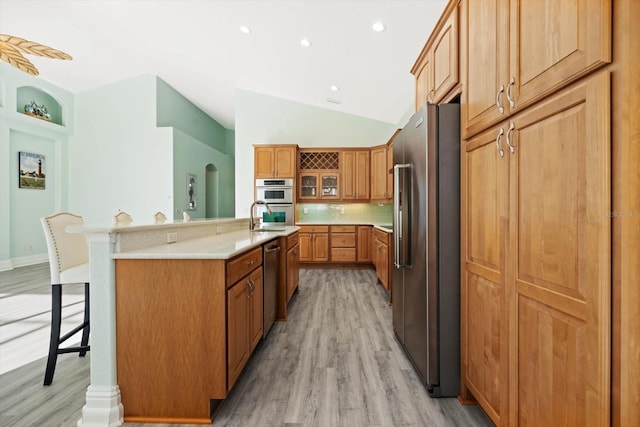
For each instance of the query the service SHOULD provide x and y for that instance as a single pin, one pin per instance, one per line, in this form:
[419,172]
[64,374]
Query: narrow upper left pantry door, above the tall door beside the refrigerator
[484,56]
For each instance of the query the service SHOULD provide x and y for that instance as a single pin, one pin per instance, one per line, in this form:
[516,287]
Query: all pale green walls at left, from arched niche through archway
[124,146]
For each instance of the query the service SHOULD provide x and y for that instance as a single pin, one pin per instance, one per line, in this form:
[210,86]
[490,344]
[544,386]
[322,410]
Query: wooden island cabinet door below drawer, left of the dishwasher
[244,322]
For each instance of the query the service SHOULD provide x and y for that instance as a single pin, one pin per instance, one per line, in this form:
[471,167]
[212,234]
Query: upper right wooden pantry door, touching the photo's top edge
[547,52]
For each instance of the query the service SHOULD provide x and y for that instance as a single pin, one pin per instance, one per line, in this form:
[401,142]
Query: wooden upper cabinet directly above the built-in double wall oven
[275,161]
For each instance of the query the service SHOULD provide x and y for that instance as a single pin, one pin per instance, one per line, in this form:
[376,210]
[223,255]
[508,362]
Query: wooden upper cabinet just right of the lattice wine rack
[354,166]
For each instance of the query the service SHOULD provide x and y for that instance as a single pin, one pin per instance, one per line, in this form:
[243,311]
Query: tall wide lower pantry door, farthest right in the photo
[560,232]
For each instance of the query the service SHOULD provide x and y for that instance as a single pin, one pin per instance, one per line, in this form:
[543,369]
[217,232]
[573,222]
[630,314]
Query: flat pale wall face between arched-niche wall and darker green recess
[118,159]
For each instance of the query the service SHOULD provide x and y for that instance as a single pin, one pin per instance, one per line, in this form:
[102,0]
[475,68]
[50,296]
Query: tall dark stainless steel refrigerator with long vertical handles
[426,273]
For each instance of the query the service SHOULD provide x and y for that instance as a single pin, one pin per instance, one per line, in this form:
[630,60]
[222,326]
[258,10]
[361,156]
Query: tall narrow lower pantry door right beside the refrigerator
[485,190]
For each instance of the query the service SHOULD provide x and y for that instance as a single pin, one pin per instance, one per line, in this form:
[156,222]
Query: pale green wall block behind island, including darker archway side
[146,136]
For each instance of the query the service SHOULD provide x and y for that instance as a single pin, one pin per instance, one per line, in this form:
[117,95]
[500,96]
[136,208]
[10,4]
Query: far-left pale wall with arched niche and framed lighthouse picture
[21,237]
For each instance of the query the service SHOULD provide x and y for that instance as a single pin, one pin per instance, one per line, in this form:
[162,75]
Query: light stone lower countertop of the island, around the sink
[217,246]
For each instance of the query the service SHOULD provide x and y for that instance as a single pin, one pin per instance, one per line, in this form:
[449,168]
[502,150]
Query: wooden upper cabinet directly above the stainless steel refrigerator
[436,69]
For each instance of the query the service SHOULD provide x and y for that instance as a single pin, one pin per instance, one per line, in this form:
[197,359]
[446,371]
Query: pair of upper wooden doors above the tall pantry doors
[516,52]
